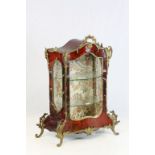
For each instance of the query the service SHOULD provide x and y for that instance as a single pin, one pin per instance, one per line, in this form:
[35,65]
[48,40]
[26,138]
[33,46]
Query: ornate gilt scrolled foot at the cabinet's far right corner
[113,117]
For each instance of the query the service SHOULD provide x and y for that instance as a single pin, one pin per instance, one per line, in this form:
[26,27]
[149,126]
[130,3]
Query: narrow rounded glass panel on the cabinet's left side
[57,82]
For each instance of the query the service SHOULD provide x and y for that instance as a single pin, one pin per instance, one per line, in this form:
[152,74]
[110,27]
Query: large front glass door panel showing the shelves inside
[86,87]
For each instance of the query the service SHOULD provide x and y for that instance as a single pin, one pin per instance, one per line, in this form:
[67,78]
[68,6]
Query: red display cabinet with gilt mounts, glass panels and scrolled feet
[78,89]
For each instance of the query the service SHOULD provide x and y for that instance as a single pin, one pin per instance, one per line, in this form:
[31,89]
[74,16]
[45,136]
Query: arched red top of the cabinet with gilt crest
[76,48]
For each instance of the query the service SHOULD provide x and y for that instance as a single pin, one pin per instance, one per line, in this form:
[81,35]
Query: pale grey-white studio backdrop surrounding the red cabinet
[52,23]
